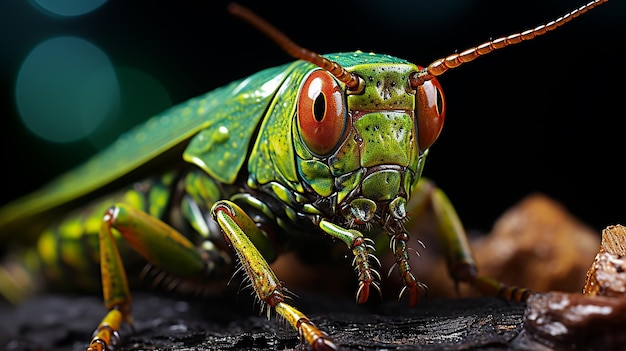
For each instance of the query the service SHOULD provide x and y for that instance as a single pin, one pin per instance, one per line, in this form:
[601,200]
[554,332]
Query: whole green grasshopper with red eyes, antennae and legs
[327,145]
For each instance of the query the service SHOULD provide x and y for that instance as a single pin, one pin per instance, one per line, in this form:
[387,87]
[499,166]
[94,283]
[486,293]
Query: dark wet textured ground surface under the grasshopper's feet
[231,323]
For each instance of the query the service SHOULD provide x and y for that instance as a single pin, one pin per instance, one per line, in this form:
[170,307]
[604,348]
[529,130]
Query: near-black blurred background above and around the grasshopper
[545,115]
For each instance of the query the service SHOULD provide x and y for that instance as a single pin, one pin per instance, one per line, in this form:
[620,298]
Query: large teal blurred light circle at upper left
[65,88]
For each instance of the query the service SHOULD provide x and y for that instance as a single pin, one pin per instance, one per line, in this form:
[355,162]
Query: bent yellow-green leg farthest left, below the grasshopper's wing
[159,243]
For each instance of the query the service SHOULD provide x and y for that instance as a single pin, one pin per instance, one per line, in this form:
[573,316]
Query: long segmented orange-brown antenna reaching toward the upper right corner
[440,66]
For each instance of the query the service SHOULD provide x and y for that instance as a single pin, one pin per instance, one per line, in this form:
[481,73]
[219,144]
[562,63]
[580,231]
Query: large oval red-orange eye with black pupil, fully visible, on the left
[321,112]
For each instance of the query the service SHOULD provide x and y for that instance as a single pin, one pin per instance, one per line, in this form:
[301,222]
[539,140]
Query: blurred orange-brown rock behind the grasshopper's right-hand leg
[539,245]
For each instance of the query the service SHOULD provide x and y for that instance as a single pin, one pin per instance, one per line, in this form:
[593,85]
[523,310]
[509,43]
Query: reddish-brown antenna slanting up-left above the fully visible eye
[354,83]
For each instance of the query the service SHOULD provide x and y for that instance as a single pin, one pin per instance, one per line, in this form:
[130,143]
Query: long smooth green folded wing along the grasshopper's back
[220,125]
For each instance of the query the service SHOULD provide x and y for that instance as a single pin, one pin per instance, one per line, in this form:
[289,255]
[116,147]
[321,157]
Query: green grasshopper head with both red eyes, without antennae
[373,142]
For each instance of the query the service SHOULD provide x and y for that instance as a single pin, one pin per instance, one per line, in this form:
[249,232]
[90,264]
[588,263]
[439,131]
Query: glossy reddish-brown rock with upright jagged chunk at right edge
[594,320]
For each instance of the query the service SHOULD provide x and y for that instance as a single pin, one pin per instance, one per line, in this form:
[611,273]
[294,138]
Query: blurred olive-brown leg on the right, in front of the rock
[456,248]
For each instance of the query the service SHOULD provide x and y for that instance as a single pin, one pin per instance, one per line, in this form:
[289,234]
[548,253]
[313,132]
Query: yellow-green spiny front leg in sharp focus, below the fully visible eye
[238,227]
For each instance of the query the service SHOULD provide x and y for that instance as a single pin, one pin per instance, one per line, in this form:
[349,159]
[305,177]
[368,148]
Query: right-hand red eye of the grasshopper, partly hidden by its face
[431,112]
